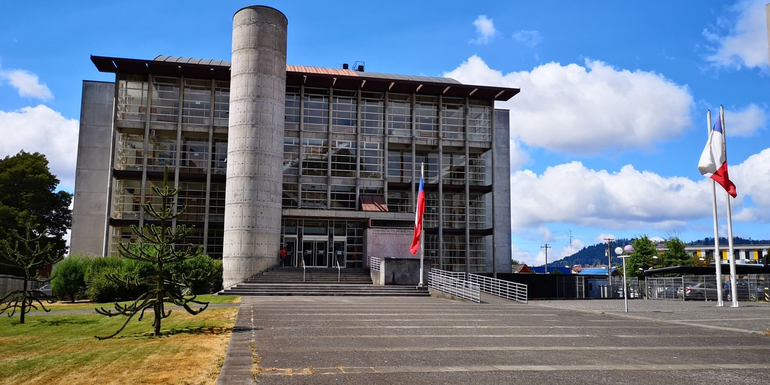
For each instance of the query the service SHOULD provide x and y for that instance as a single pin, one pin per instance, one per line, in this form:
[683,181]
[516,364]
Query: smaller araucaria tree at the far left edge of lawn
[27,255]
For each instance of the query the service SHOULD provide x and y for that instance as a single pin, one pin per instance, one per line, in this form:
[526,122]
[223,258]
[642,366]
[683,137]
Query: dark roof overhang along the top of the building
[308,76]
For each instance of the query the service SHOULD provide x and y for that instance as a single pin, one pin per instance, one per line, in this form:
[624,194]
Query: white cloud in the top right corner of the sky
[745,42]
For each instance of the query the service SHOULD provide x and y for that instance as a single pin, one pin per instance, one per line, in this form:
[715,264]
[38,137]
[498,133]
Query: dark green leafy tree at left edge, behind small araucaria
[28,195]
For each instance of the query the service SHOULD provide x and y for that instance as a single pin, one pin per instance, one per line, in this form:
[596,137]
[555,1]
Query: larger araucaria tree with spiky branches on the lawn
[159,245]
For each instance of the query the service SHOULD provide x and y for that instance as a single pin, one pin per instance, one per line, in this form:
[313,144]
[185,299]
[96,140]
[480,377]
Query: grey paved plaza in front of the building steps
[347,340]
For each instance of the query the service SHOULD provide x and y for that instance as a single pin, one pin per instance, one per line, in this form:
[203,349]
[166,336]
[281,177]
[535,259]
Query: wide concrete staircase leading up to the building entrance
[287,281]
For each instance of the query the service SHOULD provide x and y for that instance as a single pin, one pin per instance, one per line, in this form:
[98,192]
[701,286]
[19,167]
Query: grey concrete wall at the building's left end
[93,169]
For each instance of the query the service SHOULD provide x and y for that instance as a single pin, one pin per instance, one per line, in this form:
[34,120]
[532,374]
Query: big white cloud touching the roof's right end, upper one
[586,110]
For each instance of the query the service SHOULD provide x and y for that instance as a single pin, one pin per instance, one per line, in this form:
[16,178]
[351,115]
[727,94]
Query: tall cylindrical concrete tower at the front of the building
[255,143]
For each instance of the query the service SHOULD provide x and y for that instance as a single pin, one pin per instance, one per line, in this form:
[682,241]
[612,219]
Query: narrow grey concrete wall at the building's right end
[502,192]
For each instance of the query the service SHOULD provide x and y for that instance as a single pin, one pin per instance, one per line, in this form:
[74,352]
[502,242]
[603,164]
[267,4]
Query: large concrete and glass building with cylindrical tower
[324,161]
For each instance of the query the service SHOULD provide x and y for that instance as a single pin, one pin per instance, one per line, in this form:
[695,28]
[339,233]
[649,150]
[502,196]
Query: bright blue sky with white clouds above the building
[606,133]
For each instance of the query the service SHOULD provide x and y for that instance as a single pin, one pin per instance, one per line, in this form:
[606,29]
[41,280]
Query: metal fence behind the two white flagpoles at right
[751,287]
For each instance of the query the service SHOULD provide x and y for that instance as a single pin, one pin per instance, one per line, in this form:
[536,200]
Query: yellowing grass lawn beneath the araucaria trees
[61,349]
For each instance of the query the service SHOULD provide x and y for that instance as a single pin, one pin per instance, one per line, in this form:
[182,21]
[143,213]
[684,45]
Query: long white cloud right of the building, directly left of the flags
[572,193]
